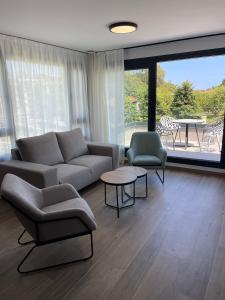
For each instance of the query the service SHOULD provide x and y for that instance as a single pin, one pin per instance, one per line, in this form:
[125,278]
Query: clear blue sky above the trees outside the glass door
[203,73]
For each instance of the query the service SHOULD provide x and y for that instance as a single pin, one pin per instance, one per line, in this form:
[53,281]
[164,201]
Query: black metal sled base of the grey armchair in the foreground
[51,266]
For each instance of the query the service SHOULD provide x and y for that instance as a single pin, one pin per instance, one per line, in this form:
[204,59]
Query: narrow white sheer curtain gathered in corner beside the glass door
[106,101]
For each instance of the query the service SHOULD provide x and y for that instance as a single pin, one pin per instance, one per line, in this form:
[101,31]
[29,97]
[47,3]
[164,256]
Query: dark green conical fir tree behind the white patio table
[183,104]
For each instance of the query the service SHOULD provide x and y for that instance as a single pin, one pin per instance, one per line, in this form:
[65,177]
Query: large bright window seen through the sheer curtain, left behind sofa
[39,97]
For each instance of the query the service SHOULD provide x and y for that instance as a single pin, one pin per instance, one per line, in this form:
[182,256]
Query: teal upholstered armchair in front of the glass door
[146,150]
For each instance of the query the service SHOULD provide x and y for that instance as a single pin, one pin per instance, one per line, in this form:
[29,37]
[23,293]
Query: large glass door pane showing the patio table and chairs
[190,107]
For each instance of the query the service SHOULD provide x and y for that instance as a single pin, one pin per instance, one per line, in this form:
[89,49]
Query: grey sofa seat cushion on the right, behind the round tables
[96,163]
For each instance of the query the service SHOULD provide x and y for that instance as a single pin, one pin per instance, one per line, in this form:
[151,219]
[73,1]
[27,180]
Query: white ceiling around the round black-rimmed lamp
[82,24]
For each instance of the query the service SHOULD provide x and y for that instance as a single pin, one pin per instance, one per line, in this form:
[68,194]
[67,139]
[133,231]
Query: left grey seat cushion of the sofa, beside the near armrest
[78,176]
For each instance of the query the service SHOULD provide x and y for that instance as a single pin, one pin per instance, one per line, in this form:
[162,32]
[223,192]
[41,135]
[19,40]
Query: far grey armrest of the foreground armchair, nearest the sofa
[59,193]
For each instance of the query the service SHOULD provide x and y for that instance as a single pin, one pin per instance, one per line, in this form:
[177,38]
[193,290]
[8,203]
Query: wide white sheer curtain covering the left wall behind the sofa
[42,88]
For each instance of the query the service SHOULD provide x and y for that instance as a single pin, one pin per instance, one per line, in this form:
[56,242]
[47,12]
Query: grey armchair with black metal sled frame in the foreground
[49,215]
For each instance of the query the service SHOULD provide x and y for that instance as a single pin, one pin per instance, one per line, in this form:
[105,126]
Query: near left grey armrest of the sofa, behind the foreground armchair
[36,174]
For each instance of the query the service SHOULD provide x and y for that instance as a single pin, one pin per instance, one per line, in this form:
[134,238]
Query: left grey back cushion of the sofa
[42,149]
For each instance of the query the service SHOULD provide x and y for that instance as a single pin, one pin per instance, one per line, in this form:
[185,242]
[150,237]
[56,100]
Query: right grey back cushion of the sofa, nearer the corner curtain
[72,144]
